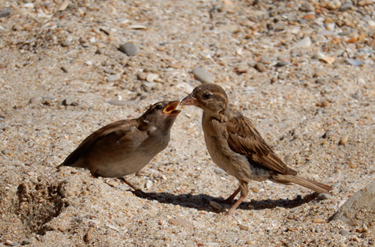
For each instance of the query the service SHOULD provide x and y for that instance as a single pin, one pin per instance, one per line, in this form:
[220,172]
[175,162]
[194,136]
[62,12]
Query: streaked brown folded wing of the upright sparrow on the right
[243,138]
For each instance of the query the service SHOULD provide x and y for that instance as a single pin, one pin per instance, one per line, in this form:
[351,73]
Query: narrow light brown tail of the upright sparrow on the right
[310,184]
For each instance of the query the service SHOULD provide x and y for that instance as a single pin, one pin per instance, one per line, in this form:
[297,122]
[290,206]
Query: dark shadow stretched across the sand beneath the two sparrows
[202,202]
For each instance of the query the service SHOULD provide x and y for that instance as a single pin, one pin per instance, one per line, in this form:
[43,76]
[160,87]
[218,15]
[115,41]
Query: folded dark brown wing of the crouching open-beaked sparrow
[119,129]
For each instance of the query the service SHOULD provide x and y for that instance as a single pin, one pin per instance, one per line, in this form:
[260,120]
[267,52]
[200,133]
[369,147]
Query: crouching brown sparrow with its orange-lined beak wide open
[126,146]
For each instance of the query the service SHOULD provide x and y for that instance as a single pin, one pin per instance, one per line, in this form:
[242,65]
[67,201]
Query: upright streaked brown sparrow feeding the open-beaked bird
[237,147]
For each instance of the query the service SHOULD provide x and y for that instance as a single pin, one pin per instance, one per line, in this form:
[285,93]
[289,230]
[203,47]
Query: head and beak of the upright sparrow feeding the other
[211,98]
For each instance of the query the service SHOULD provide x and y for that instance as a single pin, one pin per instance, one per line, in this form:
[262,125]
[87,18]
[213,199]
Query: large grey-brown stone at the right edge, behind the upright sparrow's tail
[359,209]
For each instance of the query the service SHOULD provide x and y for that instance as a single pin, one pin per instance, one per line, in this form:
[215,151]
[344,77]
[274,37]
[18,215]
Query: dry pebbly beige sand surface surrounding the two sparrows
[303,72]
